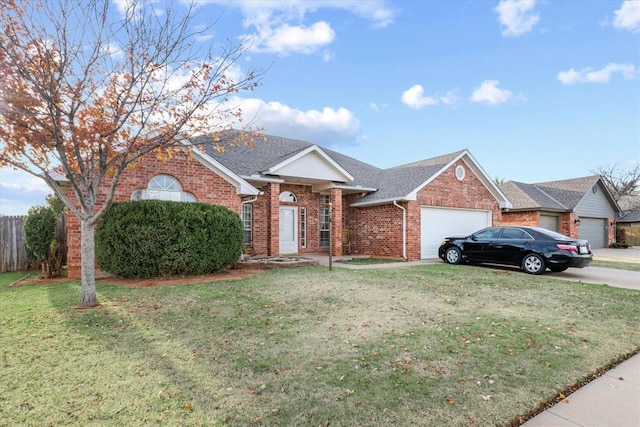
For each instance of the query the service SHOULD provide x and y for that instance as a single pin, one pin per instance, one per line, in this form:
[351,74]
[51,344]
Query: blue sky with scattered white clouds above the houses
[536,90]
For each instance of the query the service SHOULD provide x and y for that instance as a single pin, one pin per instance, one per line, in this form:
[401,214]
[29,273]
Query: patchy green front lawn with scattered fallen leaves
[423,345]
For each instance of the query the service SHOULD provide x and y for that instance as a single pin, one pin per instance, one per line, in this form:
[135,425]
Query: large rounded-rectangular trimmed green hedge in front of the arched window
[153,238]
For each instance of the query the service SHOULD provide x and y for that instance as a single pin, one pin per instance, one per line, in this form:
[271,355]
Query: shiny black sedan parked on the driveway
[531,248]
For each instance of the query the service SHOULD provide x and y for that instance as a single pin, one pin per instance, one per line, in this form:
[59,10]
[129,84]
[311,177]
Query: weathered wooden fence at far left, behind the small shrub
[13,252]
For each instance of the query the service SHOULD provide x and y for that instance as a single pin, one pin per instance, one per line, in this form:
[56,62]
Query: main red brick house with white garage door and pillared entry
[295,197]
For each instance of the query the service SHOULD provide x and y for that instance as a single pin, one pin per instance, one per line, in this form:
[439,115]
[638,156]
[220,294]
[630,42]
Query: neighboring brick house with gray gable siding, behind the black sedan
[580,207]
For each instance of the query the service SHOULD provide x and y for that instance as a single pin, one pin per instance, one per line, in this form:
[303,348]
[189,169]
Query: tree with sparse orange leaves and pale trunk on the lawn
[88,87]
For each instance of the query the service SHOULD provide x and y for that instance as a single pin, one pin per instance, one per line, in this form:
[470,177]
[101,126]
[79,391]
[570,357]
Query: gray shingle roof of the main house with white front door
[268,150]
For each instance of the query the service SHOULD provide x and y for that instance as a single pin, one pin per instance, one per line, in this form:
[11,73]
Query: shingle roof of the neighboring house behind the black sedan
[561,195]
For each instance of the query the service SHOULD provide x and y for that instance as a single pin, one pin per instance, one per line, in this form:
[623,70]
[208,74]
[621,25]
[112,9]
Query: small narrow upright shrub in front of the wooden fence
[40,236]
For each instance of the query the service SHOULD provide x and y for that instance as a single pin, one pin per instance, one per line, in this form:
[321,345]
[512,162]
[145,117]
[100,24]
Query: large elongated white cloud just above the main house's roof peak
[329,126]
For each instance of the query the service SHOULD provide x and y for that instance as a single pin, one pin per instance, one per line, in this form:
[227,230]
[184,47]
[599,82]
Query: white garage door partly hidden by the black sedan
[438,223]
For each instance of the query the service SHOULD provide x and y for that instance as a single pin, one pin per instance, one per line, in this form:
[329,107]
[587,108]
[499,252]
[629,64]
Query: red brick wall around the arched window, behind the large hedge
[206,186]
